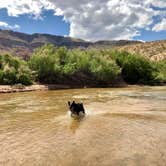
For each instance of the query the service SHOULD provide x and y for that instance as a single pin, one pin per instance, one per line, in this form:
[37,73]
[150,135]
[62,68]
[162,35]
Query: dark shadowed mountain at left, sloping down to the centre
[22,44]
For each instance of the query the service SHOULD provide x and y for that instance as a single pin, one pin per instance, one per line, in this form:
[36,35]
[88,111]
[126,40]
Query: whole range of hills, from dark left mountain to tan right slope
[23,45]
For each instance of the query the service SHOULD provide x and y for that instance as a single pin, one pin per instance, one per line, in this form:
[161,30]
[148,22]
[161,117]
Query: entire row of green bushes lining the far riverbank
[54,65]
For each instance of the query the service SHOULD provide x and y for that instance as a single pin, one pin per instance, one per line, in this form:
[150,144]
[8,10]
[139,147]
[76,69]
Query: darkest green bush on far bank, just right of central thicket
[135,69]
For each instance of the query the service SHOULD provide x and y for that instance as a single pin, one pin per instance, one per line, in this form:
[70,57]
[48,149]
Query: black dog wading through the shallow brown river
[76,108]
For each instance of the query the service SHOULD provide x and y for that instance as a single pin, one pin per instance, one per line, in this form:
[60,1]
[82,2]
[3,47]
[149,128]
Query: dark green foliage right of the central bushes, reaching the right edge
[137,69]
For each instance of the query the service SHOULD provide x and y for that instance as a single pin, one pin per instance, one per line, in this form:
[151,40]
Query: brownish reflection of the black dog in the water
[75,122]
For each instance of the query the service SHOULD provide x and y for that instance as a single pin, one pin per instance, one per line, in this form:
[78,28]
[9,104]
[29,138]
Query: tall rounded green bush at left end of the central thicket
[45,63]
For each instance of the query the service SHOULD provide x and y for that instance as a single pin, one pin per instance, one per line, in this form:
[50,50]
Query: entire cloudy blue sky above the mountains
[87,19]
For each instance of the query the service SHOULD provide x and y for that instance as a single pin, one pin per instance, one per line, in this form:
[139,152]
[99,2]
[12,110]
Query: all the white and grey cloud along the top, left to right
[95,19]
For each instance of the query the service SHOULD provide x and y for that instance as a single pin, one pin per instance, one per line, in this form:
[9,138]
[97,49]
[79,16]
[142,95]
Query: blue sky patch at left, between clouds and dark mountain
[49,23]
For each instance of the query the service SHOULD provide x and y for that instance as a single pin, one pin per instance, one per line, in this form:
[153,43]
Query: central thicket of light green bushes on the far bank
[59,64]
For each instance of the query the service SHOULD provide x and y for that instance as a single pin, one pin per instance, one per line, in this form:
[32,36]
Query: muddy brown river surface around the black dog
[123,126]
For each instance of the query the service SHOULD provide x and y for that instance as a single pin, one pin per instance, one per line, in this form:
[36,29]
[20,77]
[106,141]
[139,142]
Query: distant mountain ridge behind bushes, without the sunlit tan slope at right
[23,45]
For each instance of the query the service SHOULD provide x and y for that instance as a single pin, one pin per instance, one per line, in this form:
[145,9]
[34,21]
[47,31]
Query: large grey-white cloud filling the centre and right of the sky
[108,19]
